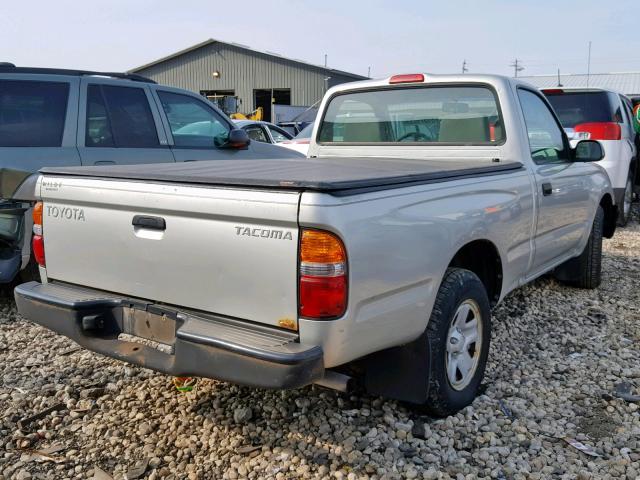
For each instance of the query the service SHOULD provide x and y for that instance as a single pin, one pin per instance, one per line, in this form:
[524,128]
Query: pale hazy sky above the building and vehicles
[400,36]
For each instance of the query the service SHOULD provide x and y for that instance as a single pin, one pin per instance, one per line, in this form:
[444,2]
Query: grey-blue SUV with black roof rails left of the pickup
[67,117]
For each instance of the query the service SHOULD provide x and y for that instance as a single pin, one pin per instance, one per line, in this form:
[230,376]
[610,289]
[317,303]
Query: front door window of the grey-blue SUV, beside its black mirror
[193,124]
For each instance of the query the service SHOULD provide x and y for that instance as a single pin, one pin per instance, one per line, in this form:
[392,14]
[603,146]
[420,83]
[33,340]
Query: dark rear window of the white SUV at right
[574,108]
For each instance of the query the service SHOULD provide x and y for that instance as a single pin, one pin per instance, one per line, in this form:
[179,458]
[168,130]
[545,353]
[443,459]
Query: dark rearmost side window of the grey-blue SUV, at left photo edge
[32,114]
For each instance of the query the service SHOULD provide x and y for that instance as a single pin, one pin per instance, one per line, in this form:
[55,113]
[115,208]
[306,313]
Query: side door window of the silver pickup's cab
[546,140]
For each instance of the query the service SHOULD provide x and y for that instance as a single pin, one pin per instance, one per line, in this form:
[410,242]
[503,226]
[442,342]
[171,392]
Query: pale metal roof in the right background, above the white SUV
[626,83]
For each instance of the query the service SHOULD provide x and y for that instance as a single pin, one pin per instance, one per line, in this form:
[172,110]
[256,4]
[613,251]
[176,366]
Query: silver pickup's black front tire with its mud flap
[585,271]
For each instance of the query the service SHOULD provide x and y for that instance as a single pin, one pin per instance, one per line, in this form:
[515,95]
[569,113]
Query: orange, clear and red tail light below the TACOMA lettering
[323,275]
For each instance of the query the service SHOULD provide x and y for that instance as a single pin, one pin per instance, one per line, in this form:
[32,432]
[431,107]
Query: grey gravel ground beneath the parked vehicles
[558,355]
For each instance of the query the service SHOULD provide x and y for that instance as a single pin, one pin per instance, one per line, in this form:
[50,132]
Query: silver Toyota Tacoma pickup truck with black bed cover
[426,199]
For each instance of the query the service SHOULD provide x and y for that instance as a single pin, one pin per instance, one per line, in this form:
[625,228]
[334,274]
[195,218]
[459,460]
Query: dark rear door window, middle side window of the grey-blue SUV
[119,117]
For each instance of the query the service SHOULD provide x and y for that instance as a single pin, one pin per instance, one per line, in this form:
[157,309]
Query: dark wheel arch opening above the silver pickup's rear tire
[482,258]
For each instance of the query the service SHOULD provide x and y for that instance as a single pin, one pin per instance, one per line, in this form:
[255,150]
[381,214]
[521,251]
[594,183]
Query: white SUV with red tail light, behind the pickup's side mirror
[604,115]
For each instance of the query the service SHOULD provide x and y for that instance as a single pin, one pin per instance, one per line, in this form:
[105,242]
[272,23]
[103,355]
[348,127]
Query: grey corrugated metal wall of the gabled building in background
[243,71]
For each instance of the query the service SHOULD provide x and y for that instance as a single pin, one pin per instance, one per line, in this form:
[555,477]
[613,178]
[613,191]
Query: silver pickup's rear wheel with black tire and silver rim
[458,333]
